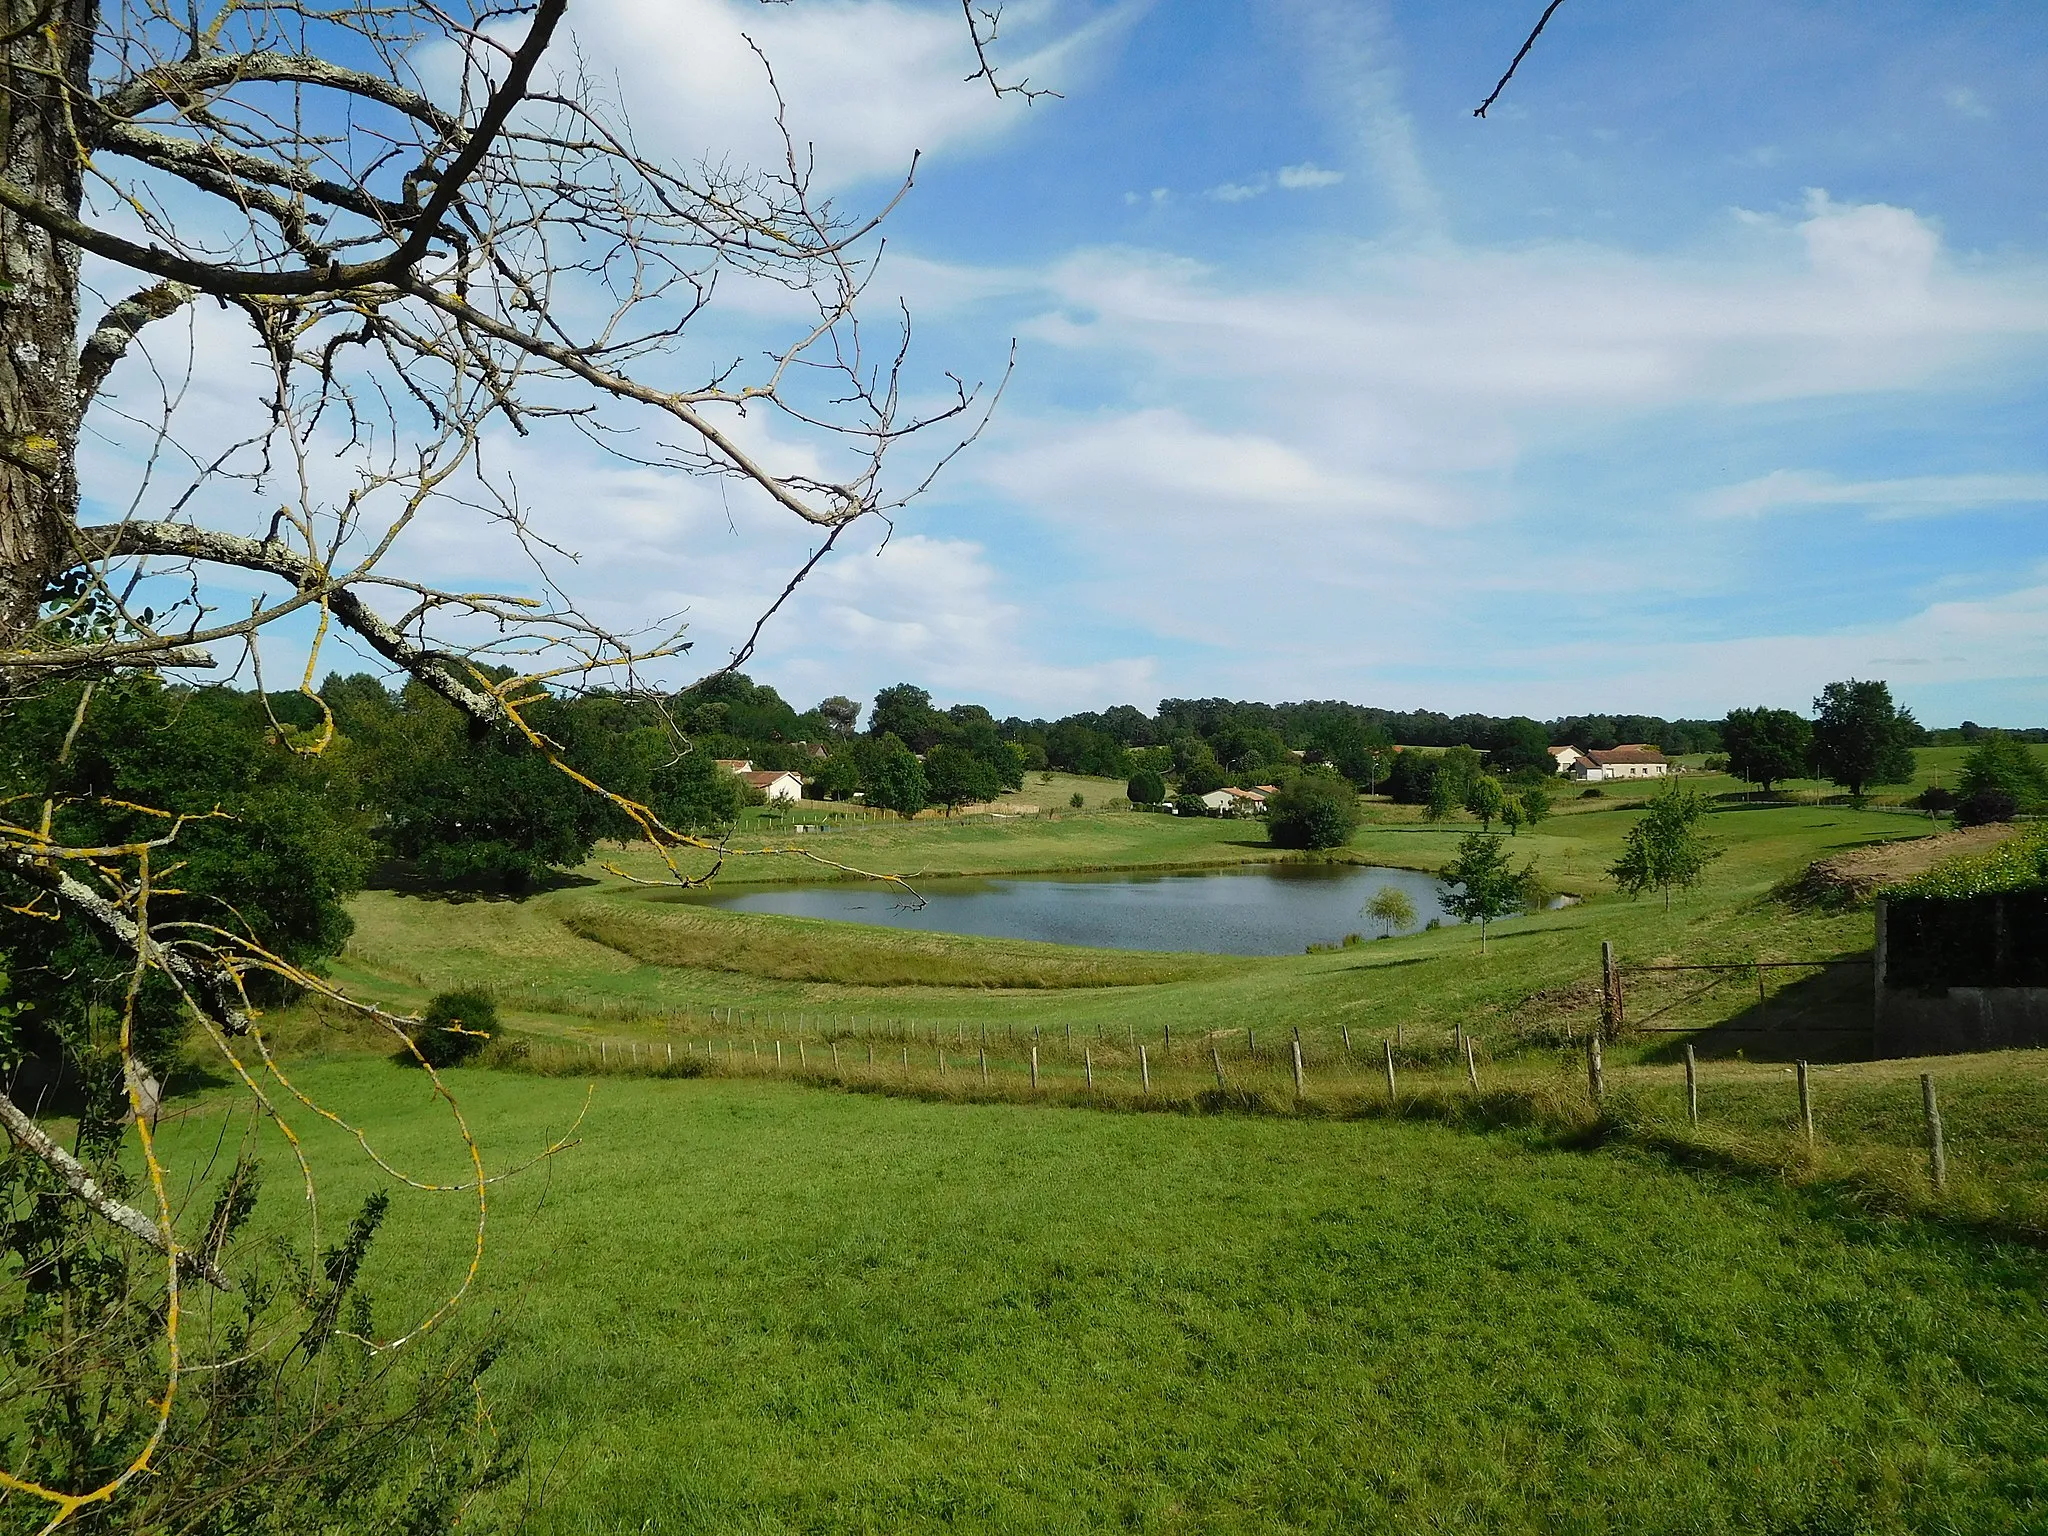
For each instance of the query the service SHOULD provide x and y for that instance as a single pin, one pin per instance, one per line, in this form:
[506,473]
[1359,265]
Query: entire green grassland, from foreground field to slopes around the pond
[826,1258]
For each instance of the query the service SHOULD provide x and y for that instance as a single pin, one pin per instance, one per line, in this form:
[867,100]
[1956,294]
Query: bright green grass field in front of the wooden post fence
[769,1308]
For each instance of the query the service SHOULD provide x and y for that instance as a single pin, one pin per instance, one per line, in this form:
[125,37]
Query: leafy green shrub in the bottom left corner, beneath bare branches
[282,1424]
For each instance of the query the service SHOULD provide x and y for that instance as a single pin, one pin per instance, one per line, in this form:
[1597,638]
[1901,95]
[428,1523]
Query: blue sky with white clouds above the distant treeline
[1707,370]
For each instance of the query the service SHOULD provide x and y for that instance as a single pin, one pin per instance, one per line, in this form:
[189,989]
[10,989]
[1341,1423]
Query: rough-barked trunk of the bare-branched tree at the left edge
[40,409]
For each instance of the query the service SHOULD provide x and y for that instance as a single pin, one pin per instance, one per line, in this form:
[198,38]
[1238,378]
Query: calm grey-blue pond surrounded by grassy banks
[1250,910]
